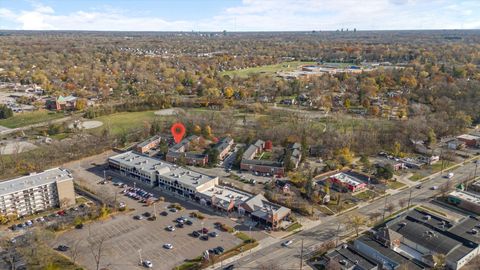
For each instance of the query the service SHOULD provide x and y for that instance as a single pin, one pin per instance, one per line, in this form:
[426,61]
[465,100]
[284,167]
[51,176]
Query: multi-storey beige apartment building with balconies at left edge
[37,192]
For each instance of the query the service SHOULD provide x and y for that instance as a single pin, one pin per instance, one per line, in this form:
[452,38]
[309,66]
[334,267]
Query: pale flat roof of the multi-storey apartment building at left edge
[33,180]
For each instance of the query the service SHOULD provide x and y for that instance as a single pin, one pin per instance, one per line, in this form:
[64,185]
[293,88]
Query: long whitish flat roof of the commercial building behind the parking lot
[165,169]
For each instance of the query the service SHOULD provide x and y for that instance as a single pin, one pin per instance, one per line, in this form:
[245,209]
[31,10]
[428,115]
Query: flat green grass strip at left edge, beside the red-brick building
[30,118]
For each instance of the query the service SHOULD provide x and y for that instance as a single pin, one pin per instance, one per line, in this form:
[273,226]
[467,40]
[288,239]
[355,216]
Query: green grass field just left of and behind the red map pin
[125,121]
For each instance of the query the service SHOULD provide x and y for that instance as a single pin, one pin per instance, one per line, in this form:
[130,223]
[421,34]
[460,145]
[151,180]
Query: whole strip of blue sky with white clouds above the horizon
[238,15]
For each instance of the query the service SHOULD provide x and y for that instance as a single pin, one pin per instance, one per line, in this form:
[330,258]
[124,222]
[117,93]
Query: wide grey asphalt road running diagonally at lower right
[289,257]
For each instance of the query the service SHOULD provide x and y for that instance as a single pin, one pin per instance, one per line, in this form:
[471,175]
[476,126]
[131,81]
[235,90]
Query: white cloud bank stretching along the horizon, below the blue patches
[265,15]
